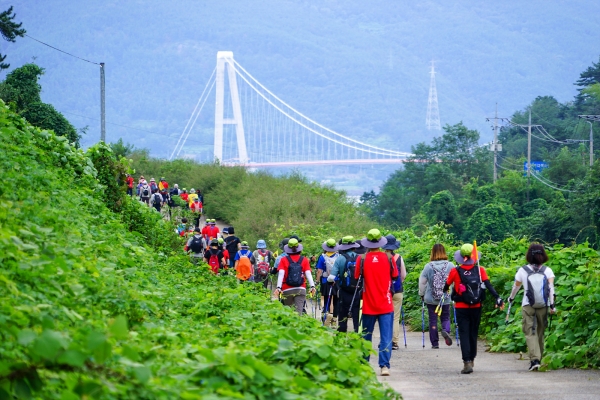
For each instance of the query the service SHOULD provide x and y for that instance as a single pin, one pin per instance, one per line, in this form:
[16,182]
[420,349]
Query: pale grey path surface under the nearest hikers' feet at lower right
[419,373]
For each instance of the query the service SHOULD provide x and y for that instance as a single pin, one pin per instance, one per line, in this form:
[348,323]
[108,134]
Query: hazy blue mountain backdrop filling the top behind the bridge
[360,68]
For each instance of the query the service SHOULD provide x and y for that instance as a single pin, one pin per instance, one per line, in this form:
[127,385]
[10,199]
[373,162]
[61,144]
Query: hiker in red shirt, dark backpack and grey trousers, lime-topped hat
[293,272]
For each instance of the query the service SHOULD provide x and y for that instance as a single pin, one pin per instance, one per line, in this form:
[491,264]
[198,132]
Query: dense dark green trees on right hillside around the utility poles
[450,180]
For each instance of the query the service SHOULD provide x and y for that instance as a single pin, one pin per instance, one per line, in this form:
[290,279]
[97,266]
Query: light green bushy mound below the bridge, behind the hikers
[256,203]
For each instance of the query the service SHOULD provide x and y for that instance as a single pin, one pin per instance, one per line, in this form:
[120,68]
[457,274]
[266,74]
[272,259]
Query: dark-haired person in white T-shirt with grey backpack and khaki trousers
[537,281]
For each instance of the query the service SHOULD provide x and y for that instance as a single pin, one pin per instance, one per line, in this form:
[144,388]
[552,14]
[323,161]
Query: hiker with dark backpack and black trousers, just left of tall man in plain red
[350,291]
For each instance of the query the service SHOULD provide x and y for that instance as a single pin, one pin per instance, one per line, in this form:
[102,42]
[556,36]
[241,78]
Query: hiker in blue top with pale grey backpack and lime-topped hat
[329,289]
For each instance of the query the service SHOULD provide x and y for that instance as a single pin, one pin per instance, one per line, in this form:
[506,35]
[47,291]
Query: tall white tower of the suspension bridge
[225,63]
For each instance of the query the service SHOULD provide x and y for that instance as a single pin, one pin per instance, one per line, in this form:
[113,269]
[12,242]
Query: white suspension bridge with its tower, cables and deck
[255,128]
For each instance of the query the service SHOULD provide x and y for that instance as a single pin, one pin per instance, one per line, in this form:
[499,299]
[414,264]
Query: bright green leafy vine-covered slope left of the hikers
[102,304]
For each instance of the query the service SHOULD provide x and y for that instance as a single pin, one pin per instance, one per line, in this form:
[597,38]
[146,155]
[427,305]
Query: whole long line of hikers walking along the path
[362,281]
